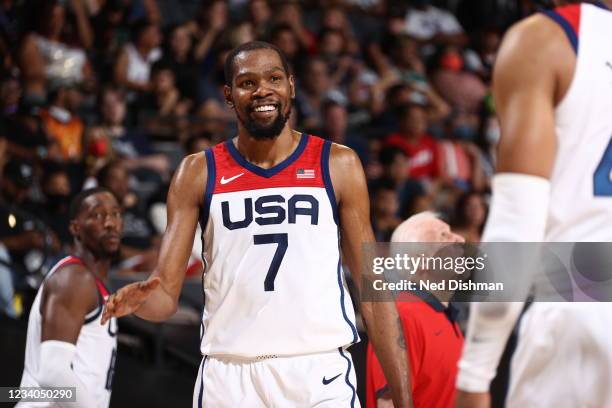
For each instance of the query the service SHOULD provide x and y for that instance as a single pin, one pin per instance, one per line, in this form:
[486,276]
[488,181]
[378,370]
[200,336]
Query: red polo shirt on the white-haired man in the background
[434,344]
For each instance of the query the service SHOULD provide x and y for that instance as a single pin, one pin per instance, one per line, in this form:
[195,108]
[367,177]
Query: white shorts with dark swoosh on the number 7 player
[312,380]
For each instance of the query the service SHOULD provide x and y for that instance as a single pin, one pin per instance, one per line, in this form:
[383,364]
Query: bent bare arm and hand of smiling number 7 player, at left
[157,298]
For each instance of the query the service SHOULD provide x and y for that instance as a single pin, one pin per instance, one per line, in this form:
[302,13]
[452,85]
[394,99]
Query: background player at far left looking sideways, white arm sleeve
[66,344]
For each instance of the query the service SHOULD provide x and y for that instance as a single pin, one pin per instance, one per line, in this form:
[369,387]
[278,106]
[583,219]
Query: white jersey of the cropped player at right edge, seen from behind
[581,183]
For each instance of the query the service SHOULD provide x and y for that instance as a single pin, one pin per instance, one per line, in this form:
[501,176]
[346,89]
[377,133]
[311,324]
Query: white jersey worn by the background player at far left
[96,347]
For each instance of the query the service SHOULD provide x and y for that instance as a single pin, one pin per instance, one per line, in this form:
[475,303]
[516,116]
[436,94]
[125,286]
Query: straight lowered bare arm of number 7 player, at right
[381,318]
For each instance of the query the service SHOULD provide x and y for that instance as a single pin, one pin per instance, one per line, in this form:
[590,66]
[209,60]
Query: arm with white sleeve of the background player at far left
[63,310]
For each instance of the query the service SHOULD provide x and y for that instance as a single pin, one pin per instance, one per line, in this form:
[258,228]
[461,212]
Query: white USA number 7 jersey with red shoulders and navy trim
[274,283]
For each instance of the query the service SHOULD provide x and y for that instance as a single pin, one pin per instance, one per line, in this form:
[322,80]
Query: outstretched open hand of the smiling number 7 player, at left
[128,299]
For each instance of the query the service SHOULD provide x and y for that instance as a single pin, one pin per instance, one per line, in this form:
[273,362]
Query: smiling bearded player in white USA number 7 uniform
[276,207]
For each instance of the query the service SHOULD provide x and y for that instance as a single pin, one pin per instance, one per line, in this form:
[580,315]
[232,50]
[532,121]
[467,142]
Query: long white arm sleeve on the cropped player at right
[518,213]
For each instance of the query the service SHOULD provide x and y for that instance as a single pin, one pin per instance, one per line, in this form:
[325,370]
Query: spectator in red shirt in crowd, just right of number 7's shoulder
[412,137]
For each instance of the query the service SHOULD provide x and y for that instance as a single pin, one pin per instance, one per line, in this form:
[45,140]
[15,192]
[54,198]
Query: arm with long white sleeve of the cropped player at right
[533,70]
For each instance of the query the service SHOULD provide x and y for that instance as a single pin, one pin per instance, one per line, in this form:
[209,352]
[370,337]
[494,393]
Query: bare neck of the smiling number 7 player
[267,153]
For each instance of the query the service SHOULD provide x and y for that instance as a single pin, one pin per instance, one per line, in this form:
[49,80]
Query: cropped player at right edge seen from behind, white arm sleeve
[553,92]
